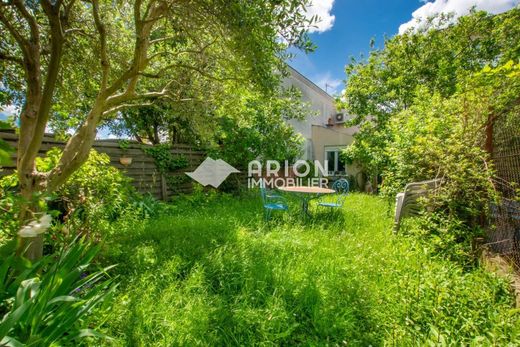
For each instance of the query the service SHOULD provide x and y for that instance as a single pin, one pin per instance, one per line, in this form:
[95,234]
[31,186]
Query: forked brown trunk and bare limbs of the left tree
[40,89]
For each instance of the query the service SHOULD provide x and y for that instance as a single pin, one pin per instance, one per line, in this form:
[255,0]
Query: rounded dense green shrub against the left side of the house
[252,127]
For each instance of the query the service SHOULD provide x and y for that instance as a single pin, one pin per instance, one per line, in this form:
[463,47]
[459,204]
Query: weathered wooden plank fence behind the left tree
[145,176]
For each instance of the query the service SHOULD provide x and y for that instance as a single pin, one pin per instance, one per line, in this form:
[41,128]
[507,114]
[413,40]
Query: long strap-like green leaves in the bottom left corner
[46,303]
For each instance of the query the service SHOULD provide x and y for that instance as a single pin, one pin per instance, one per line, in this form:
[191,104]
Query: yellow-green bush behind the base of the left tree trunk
[95,200]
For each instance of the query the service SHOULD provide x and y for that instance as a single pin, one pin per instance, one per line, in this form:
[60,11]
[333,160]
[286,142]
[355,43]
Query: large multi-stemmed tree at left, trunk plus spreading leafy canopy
[85,60]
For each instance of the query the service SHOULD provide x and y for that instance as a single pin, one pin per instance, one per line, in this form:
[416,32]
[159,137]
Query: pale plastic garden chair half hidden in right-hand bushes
[407,203]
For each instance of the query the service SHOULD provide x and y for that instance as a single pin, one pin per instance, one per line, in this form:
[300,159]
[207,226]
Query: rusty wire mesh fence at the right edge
[503,236]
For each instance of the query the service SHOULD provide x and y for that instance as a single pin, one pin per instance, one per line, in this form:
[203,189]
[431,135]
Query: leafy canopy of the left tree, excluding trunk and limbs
[195,48]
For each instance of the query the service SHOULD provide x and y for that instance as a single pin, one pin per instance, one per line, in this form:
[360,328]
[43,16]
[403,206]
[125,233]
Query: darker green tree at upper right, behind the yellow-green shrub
[436,59]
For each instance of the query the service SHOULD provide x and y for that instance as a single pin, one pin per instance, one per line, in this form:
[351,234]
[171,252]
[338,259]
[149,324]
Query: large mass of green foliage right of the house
[426,105]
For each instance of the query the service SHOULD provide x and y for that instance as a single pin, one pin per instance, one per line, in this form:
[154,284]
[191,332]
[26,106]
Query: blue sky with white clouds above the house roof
[347,26]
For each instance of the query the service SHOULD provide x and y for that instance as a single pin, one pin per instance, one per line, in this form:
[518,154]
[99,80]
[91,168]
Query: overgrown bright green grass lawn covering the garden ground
[212,272]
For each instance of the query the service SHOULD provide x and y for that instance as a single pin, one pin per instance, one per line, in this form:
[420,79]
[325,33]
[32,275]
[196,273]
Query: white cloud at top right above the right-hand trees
[457,7]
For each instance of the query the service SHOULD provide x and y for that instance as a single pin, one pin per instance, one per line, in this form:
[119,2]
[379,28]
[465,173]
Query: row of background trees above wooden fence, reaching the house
[242,125]
